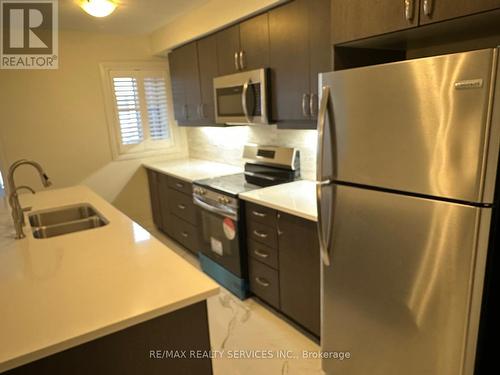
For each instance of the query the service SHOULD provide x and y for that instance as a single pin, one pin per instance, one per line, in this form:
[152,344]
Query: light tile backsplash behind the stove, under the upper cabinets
[225,145]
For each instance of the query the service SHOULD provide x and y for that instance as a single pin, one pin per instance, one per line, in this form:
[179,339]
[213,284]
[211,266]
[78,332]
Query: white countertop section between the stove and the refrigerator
[296,198]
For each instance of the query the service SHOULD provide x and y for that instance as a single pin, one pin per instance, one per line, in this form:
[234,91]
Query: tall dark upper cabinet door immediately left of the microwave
[207,62]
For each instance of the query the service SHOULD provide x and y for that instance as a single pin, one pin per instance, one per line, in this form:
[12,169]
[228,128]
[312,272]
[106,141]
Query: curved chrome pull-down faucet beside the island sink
[17,210]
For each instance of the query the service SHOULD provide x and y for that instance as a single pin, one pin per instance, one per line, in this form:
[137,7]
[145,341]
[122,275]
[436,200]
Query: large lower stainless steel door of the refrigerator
[403,291]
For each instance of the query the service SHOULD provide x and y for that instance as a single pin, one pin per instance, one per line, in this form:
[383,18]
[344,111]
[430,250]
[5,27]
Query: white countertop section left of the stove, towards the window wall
[193,169]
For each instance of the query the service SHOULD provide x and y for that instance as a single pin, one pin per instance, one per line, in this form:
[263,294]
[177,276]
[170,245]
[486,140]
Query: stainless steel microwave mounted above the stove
[241,98]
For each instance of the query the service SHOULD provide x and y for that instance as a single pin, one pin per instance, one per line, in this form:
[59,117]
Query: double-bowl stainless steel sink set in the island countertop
[65,220]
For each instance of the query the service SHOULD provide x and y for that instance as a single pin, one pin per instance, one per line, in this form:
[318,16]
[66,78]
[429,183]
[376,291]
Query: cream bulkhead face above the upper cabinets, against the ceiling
[205,19]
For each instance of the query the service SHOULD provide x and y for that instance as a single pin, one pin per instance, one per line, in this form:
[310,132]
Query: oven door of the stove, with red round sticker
[220,237]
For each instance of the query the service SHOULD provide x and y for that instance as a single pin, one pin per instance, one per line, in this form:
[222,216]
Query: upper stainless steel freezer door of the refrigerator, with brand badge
[418,126]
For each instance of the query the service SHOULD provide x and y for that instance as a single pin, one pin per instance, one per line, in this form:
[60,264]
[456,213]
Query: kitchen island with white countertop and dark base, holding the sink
[106,300]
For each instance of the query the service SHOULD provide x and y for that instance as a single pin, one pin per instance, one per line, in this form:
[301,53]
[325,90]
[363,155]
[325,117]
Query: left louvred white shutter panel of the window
[128,110]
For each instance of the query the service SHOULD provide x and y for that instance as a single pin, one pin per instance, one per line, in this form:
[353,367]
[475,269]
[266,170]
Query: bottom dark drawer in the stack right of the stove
[264,282]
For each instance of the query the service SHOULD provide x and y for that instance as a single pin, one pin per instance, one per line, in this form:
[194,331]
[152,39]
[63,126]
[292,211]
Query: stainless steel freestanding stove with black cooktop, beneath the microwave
[223,252]
